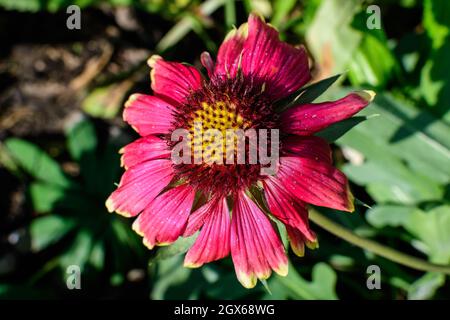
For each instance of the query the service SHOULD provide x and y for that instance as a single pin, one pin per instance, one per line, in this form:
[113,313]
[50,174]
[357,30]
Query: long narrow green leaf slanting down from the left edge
[36,162]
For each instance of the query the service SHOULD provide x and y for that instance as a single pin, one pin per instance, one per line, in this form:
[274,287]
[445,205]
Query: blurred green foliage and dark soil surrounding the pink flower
[61,96]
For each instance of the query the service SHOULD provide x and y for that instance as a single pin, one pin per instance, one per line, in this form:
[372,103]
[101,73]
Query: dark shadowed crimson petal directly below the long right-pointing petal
[311,147]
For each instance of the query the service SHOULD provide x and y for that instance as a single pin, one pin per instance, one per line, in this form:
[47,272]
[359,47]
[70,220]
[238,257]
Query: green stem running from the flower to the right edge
[375,247]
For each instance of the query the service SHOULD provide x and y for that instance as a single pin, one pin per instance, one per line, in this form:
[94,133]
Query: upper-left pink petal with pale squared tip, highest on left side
[173,81]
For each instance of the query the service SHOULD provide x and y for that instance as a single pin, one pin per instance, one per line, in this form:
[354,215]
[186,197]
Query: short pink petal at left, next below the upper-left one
[148,114]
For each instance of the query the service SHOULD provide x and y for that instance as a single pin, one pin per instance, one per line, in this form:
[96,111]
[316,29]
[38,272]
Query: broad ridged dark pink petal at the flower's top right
[281,66]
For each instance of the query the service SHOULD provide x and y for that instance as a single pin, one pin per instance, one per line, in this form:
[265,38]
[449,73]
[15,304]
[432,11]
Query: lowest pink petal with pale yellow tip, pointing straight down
[255,246]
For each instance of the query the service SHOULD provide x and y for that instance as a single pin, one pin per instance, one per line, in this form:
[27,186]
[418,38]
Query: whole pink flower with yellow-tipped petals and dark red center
[254,69]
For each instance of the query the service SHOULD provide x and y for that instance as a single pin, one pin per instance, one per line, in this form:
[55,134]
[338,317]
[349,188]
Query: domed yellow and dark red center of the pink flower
[222,104]
